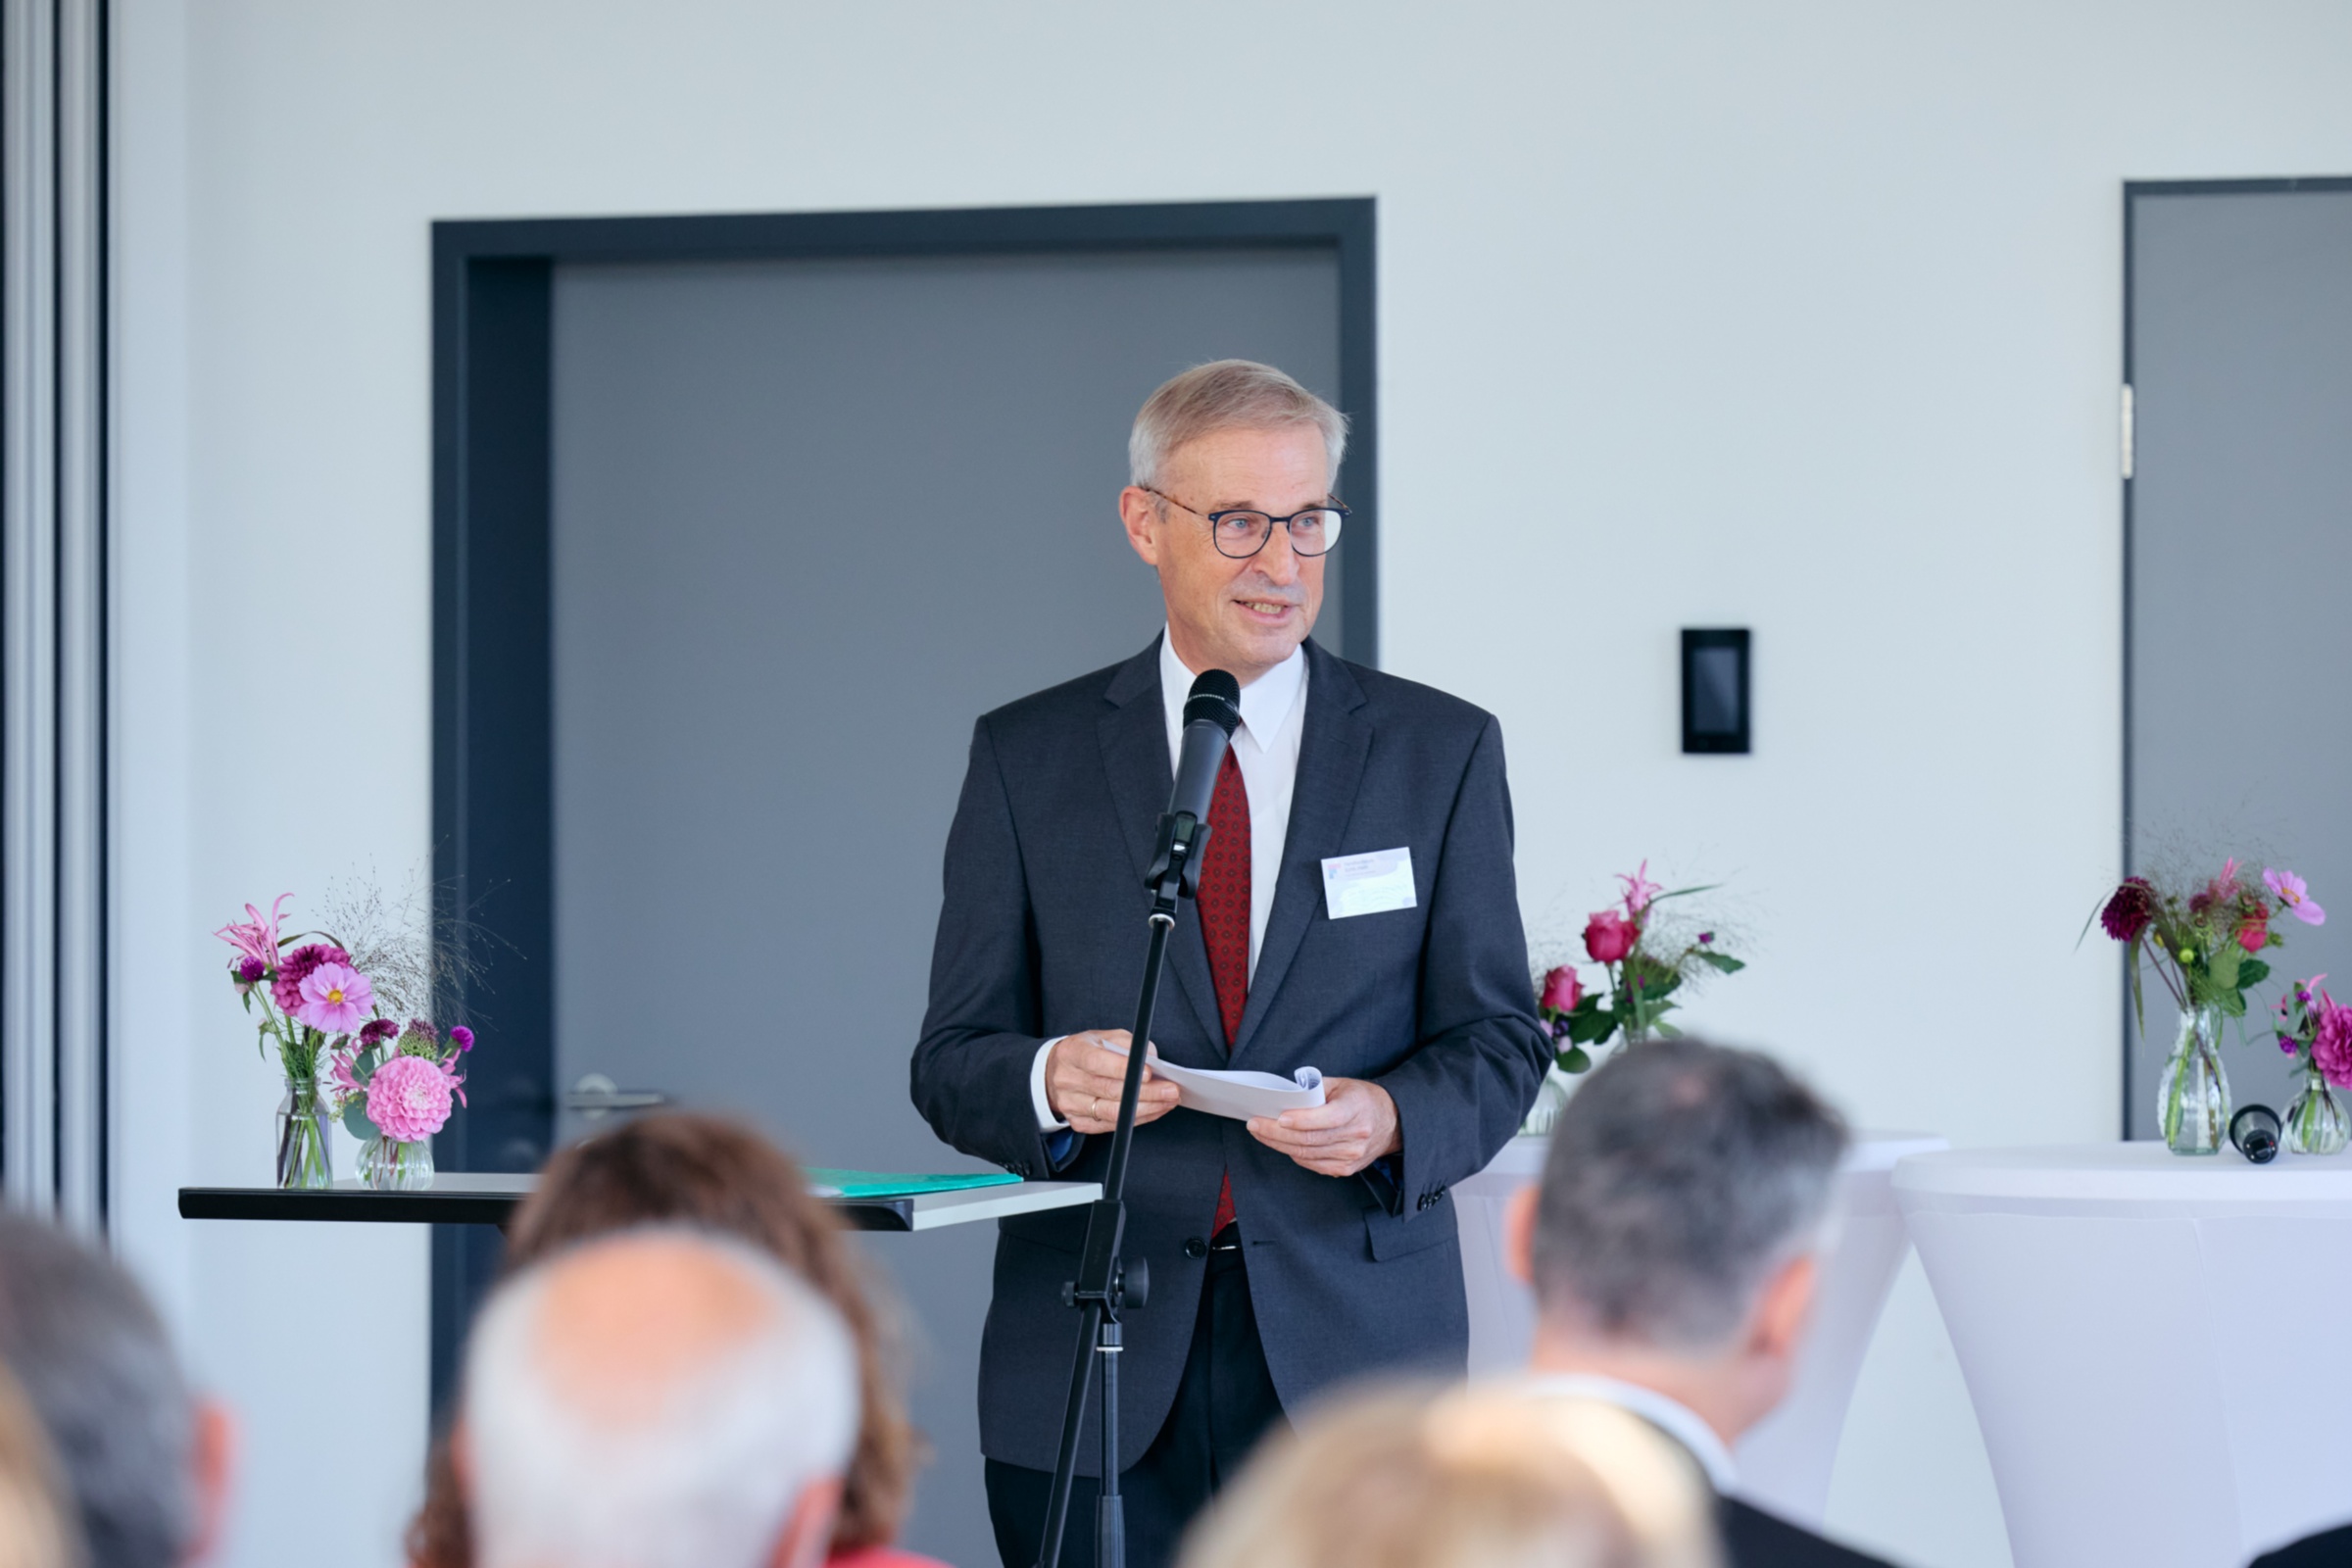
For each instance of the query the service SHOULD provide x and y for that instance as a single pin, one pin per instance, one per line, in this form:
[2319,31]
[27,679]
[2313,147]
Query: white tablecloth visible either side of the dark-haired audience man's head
[1786,1461]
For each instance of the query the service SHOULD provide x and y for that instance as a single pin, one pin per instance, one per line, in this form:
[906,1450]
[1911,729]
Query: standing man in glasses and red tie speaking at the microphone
[1356,916]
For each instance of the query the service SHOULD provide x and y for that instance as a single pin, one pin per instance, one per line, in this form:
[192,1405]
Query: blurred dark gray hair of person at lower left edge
[100,1372]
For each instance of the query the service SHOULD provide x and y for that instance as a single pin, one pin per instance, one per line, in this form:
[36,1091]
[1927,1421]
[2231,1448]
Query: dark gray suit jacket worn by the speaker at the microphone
[1043,934]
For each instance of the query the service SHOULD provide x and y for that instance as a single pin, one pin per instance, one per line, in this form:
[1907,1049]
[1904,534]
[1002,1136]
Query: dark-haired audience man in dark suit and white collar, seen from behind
[1673,1249]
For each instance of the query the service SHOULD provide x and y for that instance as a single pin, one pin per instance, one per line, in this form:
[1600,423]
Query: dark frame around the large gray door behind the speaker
[493,772]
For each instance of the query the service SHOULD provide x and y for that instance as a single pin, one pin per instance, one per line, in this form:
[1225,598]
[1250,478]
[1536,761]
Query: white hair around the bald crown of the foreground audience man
[700,1477]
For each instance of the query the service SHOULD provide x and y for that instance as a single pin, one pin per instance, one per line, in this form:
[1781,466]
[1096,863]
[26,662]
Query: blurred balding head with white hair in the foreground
[657,1400]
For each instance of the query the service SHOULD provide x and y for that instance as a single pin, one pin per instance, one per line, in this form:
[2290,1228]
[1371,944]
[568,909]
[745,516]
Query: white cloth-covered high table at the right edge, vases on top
[2149,1343]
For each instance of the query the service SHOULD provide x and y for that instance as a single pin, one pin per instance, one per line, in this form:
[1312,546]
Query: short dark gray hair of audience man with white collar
[1681,1179]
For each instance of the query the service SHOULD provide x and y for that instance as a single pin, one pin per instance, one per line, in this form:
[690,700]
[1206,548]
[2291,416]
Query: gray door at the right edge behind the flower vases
[2240,706]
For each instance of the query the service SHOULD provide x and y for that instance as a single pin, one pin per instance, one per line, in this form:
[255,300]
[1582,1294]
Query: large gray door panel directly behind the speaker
[813,518]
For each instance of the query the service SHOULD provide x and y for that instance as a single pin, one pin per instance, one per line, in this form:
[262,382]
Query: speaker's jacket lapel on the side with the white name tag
[1330,768]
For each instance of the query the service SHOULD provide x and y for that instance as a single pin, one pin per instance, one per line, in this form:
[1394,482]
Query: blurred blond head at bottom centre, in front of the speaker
[1462,1480]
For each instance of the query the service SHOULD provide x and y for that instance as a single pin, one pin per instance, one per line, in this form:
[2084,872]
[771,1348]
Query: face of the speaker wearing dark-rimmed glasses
[1234,615]
